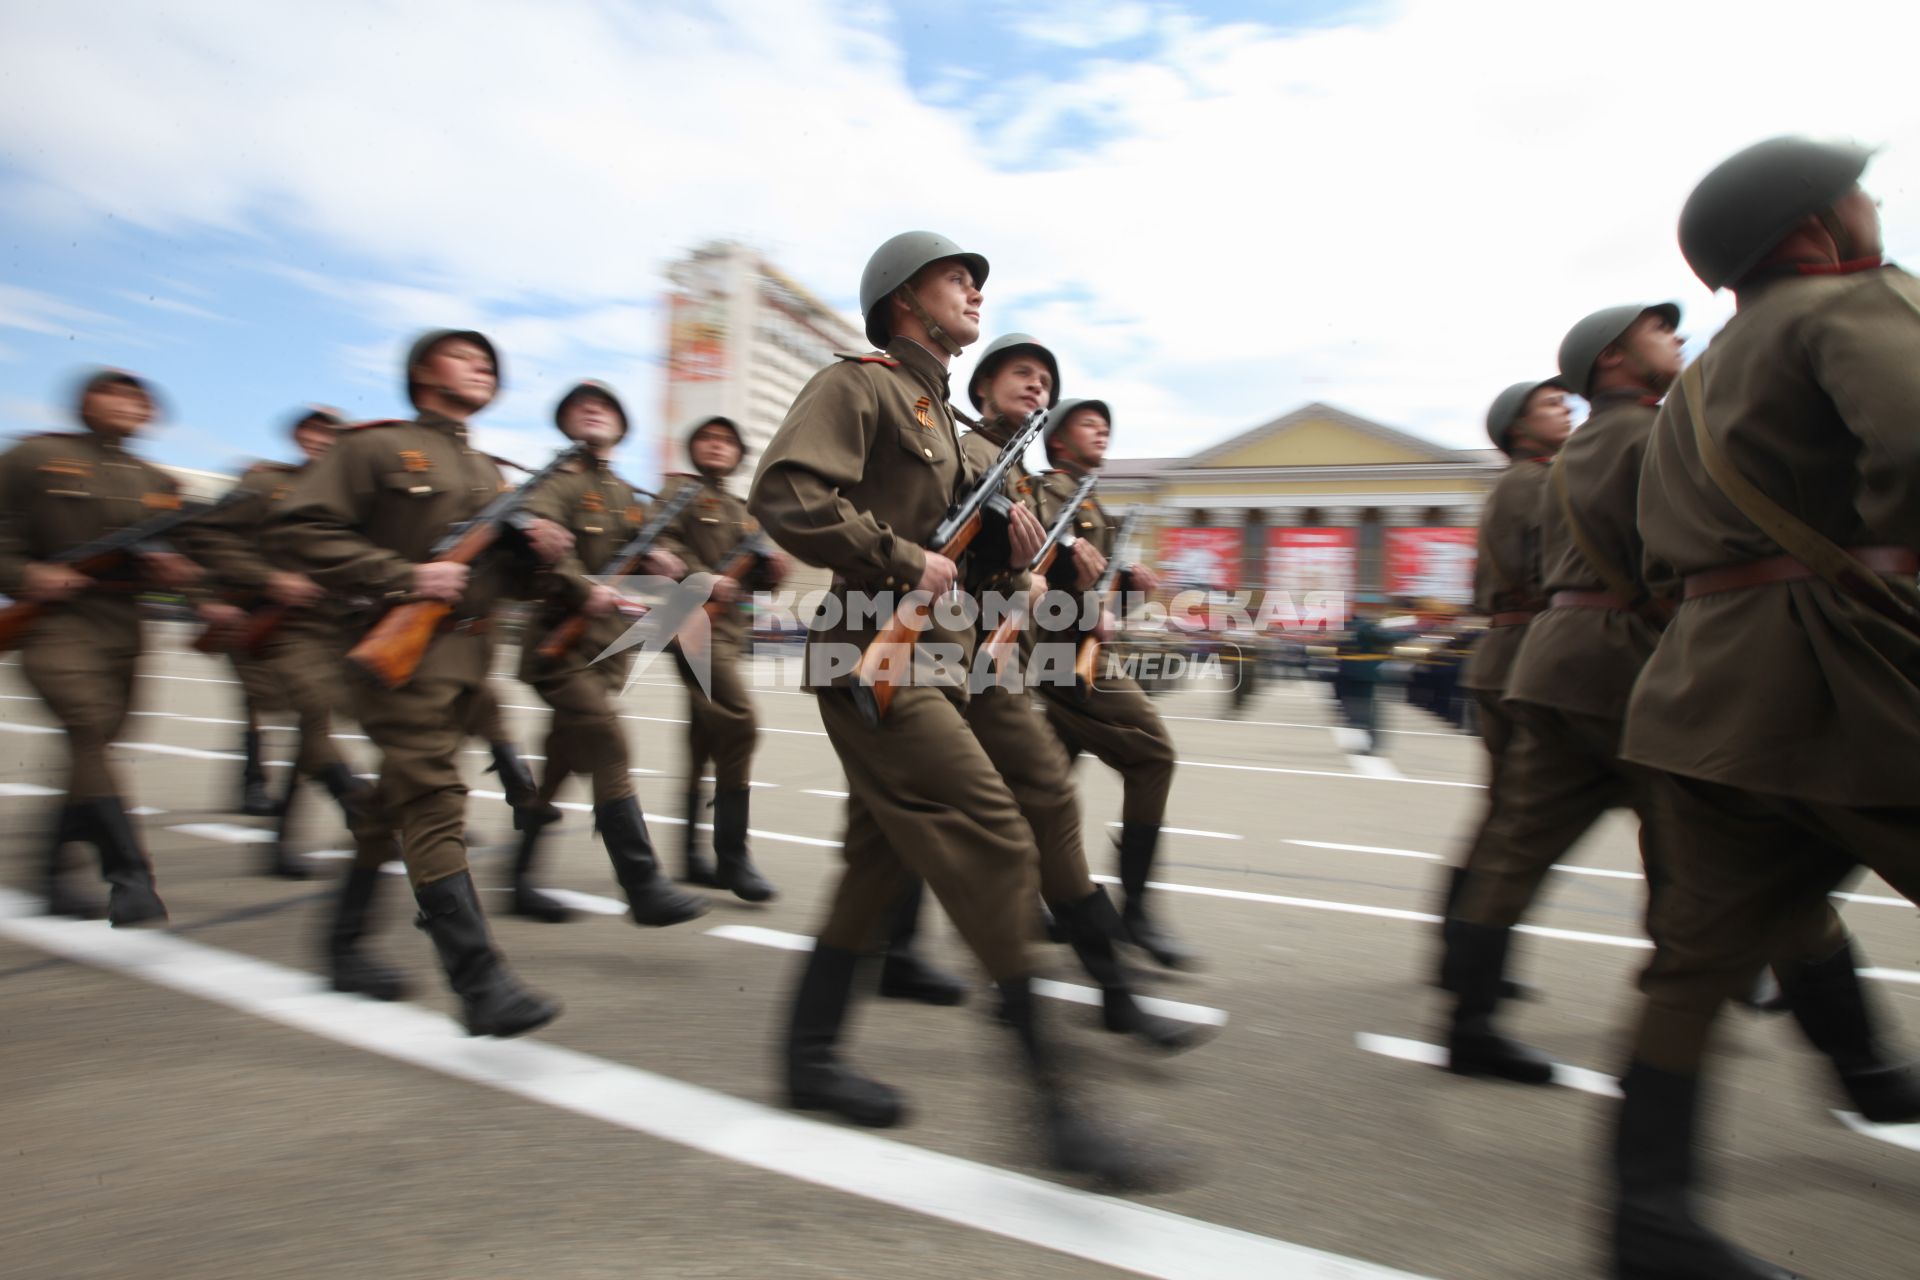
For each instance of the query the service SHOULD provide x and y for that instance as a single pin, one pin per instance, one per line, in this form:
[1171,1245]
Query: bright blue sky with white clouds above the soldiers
[1212,212]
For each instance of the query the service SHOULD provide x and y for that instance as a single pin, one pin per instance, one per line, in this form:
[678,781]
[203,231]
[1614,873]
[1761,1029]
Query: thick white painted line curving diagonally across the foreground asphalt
[1013,1206]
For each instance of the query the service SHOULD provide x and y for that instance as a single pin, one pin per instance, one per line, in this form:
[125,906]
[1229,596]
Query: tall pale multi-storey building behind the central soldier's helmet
[742,341]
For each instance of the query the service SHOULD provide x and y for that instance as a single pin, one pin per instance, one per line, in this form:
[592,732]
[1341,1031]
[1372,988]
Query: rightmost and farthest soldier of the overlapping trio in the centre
[1116,721]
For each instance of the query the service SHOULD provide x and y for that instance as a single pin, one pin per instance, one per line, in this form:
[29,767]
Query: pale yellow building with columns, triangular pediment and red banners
[1318,500]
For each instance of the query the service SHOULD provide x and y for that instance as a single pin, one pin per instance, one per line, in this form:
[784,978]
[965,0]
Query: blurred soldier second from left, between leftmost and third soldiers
[300,655]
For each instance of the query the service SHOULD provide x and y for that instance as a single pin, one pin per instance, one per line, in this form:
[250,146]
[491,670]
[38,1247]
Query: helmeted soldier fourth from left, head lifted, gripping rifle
[602,511]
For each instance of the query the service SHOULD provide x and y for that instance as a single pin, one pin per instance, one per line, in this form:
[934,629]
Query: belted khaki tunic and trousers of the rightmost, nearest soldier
[1787,715]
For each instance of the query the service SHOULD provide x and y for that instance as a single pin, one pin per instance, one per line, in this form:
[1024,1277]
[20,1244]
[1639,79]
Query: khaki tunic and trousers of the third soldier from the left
[358,523]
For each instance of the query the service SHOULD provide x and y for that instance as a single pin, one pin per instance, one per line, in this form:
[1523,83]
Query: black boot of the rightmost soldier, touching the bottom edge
[1656,1235]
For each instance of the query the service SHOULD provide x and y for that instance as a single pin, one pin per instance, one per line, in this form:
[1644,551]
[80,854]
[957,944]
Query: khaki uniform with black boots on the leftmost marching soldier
[60,492]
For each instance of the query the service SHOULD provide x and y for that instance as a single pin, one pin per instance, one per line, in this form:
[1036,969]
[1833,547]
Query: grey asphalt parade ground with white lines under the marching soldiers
[197,1102]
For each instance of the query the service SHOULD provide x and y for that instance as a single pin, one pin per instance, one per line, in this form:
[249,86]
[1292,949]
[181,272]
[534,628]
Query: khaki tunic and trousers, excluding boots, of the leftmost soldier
[60,492]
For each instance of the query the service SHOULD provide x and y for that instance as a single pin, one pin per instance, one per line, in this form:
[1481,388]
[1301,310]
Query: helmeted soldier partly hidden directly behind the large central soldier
[1011,381]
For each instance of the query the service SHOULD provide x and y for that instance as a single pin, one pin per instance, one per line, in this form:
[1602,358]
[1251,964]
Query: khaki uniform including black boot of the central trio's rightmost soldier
[1120,726]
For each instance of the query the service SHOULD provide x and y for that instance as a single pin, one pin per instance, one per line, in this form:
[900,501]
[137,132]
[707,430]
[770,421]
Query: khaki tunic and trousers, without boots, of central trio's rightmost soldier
[1116,723]
